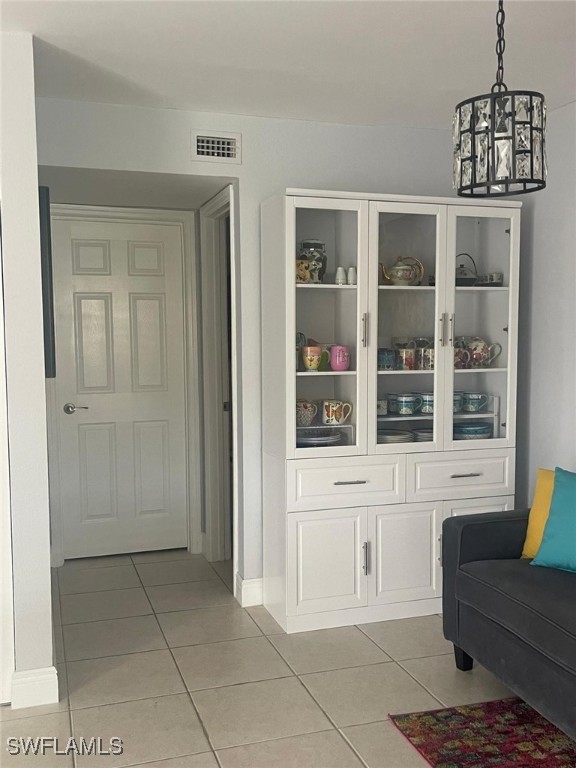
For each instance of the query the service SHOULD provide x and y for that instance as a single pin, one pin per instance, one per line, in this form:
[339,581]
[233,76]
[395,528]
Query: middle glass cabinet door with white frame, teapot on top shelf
[405,372]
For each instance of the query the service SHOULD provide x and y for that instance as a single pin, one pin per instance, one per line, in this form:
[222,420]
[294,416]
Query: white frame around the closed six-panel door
[185,221]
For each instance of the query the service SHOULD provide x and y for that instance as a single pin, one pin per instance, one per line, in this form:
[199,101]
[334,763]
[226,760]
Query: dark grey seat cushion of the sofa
[536,604]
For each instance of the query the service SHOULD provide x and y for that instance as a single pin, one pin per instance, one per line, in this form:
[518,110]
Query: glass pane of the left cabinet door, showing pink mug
[326,276]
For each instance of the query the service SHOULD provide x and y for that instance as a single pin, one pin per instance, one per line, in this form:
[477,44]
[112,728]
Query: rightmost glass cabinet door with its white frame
[482,318]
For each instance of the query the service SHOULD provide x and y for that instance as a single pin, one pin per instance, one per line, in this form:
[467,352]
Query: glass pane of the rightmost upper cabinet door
[480,328]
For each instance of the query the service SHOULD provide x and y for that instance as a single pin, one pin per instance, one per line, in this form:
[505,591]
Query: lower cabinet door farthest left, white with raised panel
[326,560]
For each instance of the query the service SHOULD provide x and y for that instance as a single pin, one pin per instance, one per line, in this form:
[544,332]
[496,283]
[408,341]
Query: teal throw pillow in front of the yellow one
[558,548]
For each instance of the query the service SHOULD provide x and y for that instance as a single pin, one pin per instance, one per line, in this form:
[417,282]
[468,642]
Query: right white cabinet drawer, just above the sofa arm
[466,474]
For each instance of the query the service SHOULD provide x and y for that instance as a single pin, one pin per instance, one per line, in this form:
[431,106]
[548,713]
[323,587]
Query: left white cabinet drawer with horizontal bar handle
[345,482]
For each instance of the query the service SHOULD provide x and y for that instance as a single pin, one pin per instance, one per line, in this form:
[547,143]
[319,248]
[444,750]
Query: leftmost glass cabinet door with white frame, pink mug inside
[329,278]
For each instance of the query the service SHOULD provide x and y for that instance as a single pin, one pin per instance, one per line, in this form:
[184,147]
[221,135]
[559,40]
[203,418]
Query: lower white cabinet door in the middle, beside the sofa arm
[403,559]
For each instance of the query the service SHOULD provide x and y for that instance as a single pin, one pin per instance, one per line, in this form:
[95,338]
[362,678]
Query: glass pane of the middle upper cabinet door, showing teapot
[406,327]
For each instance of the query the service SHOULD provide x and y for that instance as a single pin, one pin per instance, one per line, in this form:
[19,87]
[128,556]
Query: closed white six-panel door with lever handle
[120,361]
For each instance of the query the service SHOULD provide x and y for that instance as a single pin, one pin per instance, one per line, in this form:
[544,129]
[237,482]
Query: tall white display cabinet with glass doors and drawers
[355,492]
